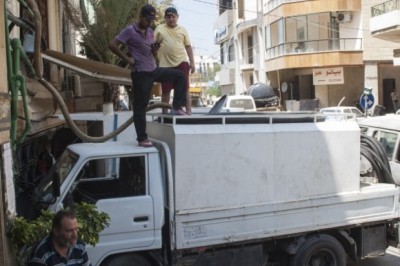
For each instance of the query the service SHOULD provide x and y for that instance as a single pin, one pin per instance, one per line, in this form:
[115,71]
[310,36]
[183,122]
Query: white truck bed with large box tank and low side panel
[239,178]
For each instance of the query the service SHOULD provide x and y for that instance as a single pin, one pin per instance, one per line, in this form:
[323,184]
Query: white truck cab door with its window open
[119,187]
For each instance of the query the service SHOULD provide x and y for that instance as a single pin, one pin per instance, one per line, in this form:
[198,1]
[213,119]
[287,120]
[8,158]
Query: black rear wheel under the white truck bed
[321,250]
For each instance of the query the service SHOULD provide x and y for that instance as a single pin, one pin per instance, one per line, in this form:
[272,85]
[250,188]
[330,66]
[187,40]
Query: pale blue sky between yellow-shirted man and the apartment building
[198,17]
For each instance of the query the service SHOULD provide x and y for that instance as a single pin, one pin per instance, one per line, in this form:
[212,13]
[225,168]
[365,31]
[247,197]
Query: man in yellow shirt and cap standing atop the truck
[175,51]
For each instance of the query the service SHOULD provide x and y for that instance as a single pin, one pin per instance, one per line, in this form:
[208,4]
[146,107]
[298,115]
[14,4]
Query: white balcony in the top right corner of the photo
[385,21]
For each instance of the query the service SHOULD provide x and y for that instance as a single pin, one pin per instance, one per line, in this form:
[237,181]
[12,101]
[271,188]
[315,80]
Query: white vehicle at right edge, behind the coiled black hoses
[386,129]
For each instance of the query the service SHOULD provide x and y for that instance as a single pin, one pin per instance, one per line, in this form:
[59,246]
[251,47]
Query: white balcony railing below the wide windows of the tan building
[325,45]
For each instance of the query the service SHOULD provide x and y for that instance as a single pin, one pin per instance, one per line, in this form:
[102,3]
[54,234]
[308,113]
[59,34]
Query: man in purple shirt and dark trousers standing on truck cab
[139,39]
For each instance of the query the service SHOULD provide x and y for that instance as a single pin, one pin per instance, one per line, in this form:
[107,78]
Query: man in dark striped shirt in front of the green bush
[62,246]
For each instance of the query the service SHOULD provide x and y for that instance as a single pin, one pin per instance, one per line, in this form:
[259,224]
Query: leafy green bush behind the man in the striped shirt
[23,234]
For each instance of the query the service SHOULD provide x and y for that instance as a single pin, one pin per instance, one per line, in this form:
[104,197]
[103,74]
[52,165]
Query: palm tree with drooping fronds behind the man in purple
[97,22]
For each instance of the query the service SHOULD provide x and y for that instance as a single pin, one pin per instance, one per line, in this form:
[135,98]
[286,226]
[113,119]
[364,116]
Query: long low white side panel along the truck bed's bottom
[202,227]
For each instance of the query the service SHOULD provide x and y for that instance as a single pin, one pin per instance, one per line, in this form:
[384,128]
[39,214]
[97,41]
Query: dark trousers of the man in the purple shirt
[142,83]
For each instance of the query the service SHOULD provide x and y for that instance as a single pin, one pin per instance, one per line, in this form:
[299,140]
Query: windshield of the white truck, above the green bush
[60,170]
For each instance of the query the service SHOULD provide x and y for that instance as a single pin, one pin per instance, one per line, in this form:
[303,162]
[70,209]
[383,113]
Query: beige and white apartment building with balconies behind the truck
[320,49]
